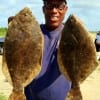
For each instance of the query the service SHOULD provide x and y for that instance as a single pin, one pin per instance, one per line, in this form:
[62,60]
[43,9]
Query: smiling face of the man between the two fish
[54,12]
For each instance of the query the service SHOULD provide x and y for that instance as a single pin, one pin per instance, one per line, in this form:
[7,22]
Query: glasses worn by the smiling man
[59,6]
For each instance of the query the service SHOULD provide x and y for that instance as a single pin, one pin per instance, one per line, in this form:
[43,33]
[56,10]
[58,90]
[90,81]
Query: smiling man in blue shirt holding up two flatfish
[50,84]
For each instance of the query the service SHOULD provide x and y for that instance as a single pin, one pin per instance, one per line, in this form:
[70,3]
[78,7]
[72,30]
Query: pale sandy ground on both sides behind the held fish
[90,87]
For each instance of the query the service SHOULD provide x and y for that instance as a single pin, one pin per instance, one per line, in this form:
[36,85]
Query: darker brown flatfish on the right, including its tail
[76,55]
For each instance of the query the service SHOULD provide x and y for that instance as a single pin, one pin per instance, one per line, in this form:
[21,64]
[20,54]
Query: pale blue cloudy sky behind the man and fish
[87,10]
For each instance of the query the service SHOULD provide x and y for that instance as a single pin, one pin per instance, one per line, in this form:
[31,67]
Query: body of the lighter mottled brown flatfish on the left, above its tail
[22,50]
